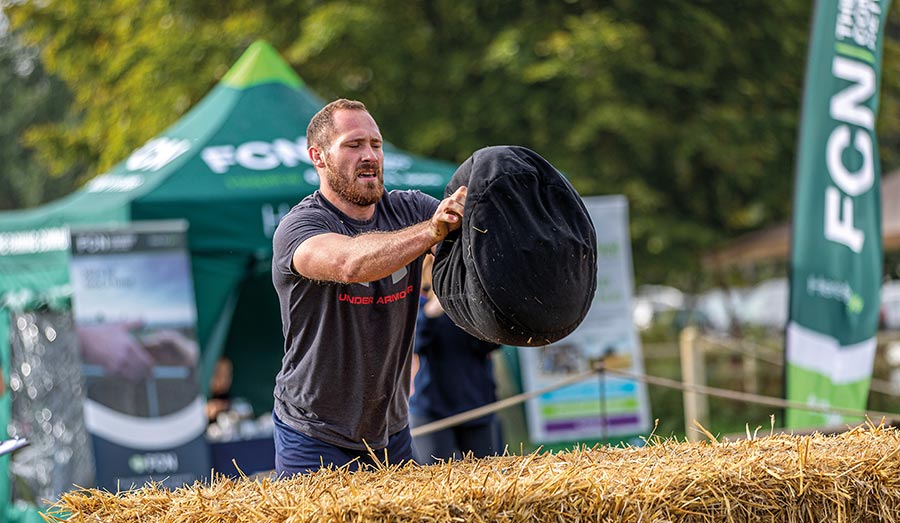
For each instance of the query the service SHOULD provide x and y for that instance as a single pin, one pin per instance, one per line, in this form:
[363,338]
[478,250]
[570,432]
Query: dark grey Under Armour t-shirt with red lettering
[345,374]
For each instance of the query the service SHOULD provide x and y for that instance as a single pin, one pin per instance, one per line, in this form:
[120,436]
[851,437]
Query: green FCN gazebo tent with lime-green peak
[230,167]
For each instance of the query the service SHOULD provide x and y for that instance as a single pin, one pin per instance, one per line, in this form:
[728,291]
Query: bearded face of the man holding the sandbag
[354,161]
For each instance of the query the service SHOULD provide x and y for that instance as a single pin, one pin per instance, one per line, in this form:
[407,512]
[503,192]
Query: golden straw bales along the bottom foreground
[849,477]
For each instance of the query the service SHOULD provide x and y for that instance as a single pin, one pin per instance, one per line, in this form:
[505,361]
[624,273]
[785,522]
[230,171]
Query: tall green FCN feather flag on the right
[836,258]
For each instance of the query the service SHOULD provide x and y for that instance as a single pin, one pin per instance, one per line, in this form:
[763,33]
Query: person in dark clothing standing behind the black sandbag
[454,375]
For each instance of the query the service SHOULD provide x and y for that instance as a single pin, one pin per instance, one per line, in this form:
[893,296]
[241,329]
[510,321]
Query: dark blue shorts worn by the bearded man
[299,453]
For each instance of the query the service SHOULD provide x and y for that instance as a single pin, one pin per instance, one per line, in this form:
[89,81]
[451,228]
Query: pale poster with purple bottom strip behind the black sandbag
[603,406]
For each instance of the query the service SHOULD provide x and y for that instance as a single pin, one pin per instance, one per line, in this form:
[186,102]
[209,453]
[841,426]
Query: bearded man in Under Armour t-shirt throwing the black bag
[347,268]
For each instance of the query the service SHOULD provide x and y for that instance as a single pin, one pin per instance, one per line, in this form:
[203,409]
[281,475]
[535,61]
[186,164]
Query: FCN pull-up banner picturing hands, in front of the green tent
[135,317]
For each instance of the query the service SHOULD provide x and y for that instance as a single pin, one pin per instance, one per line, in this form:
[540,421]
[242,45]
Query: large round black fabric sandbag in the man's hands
[522,268]
